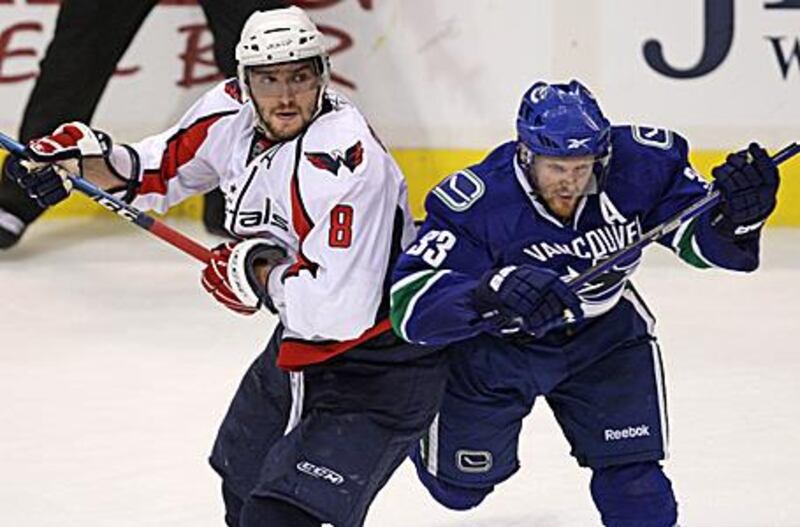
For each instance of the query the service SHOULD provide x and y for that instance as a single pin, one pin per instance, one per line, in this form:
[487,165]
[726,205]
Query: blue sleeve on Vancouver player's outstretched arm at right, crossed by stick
[696,242]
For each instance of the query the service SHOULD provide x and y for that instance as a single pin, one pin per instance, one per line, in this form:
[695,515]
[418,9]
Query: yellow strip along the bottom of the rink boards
[424,168]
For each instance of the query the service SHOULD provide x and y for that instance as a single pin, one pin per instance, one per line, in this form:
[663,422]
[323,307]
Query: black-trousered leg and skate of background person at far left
[90,38]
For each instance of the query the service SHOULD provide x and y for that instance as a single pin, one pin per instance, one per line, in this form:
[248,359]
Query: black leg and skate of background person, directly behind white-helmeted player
[225,19]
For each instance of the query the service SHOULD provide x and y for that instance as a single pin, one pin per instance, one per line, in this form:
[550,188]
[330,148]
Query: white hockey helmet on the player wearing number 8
[278,36]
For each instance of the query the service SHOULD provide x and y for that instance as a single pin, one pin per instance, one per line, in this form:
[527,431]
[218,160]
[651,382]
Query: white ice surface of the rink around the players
[116,368]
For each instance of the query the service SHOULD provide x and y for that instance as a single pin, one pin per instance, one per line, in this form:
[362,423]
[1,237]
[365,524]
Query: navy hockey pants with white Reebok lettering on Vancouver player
[604,385]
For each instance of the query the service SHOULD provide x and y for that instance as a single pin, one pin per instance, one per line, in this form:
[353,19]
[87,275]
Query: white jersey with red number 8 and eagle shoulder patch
[333,197]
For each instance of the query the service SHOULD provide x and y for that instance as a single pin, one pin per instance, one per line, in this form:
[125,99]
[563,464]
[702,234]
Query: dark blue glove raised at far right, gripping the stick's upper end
[748,187]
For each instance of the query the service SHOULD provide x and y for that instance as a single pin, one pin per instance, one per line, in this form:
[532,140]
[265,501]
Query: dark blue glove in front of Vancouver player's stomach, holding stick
[525,299]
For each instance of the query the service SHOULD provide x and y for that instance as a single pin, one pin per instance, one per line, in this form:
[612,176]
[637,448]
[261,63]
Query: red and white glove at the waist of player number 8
[230,274]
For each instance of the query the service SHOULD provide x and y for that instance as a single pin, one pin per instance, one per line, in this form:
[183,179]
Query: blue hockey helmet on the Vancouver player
[562,120]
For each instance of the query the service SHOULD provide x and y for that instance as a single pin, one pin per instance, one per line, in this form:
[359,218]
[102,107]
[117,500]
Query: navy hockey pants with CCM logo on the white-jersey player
[328,439]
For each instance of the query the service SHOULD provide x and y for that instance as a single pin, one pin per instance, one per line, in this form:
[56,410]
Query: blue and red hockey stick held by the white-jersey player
[122,209]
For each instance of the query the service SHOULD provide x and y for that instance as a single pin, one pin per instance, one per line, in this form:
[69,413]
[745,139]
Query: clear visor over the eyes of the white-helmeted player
[283,79]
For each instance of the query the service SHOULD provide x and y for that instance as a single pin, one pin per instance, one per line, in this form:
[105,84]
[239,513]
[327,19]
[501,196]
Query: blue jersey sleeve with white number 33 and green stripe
[434,279]
